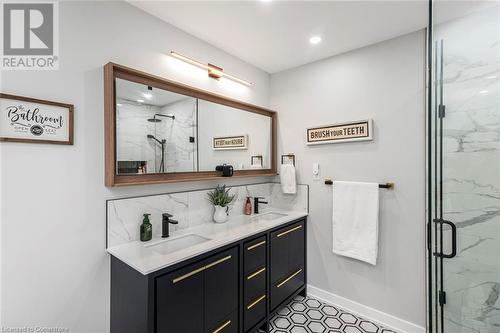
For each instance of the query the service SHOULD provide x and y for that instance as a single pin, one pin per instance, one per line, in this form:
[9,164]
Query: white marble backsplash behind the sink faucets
[124,216]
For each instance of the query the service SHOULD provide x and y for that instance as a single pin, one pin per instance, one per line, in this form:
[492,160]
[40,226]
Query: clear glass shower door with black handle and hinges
[464,170]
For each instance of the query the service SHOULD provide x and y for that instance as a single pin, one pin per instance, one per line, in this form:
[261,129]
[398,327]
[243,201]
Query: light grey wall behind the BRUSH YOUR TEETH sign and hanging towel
[384,82]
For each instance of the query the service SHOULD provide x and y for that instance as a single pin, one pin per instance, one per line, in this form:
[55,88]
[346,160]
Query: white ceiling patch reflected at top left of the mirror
[133,92]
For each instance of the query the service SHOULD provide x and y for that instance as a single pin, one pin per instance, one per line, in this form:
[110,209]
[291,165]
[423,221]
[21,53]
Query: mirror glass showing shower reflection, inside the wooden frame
[158,131]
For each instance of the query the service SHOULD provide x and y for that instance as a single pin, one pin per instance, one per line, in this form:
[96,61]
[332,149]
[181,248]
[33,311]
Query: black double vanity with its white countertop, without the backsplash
[228,278]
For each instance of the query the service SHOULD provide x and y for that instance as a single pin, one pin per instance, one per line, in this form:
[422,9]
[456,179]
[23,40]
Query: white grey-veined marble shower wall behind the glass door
[472,170]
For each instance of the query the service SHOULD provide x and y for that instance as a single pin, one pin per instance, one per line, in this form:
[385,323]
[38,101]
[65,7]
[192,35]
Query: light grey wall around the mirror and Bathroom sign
[55,271]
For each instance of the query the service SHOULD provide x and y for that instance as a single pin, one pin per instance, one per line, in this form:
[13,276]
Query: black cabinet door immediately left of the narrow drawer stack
[221,289]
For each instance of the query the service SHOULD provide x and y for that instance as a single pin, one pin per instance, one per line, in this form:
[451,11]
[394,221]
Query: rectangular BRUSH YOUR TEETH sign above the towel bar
[342,132]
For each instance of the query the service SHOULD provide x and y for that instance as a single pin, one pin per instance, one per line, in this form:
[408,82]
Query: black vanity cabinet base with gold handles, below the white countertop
[234,289]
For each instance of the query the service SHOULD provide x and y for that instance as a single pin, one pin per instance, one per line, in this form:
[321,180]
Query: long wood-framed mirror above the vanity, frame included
[161,131]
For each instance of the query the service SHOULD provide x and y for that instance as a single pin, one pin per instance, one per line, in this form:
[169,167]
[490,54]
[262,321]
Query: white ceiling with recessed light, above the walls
[274,35]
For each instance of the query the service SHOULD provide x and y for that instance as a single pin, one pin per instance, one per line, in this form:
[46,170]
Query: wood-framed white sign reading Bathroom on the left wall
[24,119]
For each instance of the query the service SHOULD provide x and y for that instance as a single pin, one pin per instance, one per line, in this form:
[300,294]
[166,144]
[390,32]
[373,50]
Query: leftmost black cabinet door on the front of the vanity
[179,301]
